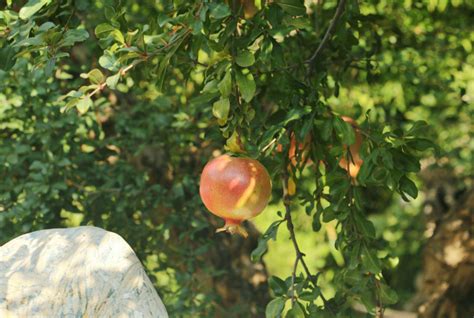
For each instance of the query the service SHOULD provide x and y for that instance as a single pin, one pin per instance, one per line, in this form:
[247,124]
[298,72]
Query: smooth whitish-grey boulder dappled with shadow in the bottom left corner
[75,272]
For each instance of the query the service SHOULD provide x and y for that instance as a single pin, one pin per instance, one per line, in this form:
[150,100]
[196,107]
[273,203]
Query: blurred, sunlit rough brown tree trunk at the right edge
[447,282]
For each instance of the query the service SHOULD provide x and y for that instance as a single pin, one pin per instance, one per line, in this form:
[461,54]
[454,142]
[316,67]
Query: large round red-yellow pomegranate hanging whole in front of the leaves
[235,189]
